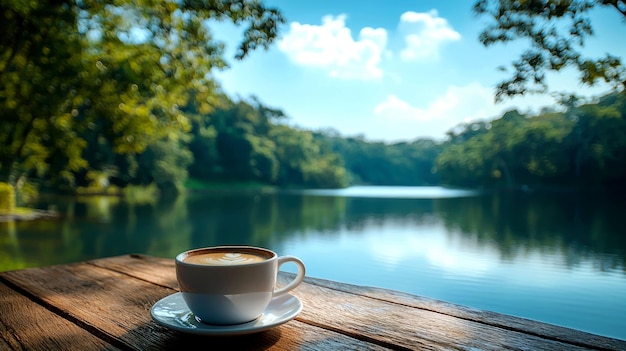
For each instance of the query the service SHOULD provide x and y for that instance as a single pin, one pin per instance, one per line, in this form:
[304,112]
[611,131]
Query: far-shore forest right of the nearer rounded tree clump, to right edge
[574,145]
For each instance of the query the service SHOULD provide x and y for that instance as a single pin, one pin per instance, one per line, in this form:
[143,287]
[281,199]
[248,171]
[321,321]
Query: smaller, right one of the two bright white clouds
[426,32]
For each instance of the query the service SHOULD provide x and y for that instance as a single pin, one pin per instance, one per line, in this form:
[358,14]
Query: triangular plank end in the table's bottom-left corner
[26,325]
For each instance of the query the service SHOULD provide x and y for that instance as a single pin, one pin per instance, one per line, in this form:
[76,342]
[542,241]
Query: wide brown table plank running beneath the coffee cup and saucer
[117,305]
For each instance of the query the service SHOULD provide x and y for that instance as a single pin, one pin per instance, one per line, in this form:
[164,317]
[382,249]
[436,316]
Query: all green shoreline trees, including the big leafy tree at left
[103,96]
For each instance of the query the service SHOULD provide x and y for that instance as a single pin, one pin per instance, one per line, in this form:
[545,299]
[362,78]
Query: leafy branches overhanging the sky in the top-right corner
[557,30]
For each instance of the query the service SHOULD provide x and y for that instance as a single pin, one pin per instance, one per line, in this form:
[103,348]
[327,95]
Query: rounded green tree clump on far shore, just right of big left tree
[247,141]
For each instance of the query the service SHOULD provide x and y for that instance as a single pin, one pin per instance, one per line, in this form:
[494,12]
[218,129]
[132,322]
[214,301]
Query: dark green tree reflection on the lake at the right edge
[580,228]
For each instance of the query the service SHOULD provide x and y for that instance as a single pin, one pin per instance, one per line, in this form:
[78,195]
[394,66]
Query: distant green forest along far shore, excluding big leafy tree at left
[581,145]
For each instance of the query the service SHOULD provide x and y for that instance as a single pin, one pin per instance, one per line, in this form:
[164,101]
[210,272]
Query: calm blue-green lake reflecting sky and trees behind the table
[558,258]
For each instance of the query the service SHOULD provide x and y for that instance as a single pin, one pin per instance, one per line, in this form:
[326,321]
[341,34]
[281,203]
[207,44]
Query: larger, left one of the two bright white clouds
[331,46]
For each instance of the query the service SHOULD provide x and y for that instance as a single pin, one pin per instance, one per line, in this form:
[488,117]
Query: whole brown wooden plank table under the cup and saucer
[105,304]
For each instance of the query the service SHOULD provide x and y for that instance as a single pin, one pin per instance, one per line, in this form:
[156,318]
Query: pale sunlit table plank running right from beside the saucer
[412,327]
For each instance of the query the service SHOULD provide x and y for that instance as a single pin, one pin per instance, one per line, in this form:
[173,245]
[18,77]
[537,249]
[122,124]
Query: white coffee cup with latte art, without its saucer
[232,284]
